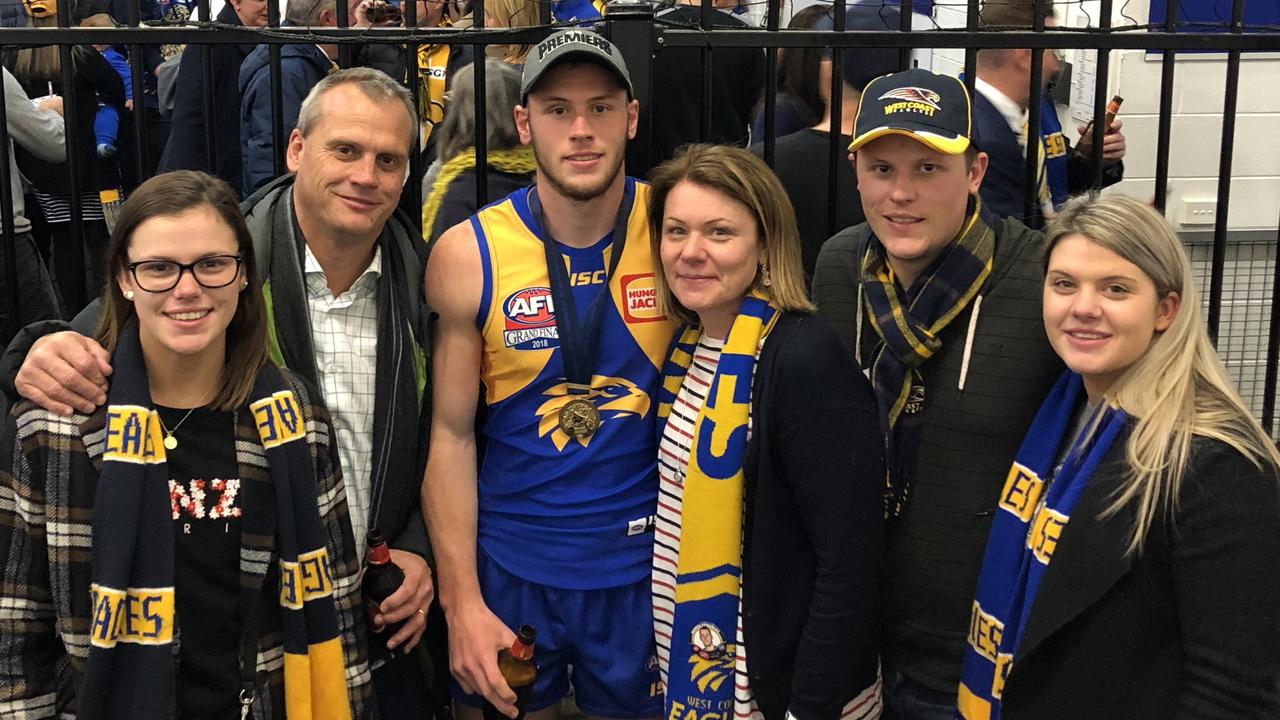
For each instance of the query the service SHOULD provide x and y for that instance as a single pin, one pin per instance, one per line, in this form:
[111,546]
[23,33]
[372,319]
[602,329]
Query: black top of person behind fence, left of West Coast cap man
[801,161]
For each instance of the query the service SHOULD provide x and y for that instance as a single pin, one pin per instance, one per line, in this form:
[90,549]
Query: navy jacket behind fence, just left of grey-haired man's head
[301,69]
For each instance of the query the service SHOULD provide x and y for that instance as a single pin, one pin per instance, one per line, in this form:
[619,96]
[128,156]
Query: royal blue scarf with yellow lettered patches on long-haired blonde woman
[1034,512]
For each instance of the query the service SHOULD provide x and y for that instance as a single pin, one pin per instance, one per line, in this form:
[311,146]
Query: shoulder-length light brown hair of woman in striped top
[746,179]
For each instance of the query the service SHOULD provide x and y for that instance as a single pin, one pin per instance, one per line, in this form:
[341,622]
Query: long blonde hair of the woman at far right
[1180,388]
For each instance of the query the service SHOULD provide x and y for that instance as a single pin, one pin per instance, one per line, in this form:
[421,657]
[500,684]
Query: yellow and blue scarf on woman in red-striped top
[710,558]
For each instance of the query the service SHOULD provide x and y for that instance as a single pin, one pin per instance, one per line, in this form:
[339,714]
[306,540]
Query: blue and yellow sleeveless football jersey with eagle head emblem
[557,511]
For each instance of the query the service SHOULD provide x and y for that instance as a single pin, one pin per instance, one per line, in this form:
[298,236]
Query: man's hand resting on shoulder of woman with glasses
[66,372]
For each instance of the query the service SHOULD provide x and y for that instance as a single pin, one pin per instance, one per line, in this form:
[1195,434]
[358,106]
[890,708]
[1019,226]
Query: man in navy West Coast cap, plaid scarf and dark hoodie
[941,304]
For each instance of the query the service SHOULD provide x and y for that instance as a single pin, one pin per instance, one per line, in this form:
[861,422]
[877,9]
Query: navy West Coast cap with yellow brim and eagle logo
[922,106]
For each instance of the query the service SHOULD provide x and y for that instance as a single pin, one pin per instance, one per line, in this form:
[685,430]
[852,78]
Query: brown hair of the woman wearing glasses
[175,194]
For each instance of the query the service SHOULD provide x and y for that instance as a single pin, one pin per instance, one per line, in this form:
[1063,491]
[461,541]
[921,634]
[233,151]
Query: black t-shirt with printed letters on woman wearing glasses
[204,493]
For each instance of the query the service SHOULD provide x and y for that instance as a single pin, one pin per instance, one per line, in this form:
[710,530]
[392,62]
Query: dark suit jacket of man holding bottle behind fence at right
[1003,186]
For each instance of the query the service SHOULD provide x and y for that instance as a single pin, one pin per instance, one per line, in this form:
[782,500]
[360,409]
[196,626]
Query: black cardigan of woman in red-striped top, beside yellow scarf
[812,549]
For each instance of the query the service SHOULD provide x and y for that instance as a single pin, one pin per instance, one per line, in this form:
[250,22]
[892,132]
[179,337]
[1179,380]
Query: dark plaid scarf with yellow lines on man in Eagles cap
[909,323]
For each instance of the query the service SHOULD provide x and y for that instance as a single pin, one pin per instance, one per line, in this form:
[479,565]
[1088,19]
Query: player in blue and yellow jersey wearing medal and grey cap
[546,298]
